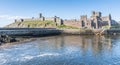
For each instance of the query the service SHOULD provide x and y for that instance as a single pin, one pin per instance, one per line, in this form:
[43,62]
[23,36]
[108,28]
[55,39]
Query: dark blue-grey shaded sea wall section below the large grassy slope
[29,31]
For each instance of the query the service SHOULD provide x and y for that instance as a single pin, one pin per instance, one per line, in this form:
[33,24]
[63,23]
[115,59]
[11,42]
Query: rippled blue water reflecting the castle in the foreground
[64,50]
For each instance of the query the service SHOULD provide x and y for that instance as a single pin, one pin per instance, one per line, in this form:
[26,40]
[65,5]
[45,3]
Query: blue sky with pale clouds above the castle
[66,9]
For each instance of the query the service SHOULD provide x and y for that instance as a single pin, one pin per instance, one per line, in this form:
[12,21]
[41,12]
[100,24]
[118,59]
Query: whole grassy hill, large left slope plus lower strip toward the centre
[38,24]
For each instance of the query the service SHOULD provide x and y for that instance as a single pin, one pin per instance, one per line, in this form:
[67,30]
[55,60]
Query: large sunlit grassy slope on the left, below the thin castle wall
[34,24]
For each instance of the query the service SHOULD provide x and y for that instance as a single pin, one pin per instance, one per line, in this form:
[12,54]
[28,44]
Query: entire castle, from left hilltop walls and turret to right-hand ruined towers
[96,21]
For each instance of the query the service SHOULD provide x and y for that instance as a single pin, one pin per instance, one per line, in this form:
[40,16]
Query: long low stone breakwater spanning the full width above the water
[54,31]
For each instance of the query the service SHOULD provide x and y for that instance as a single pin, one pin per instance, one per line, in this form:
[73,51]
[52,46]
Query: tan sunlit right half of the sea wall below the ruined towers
[91,31]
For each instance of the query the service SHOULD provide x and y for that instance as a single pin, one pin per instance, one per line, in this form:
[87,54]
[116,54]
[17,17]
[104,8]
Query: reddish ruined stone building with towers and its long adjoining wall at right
[95,21]
